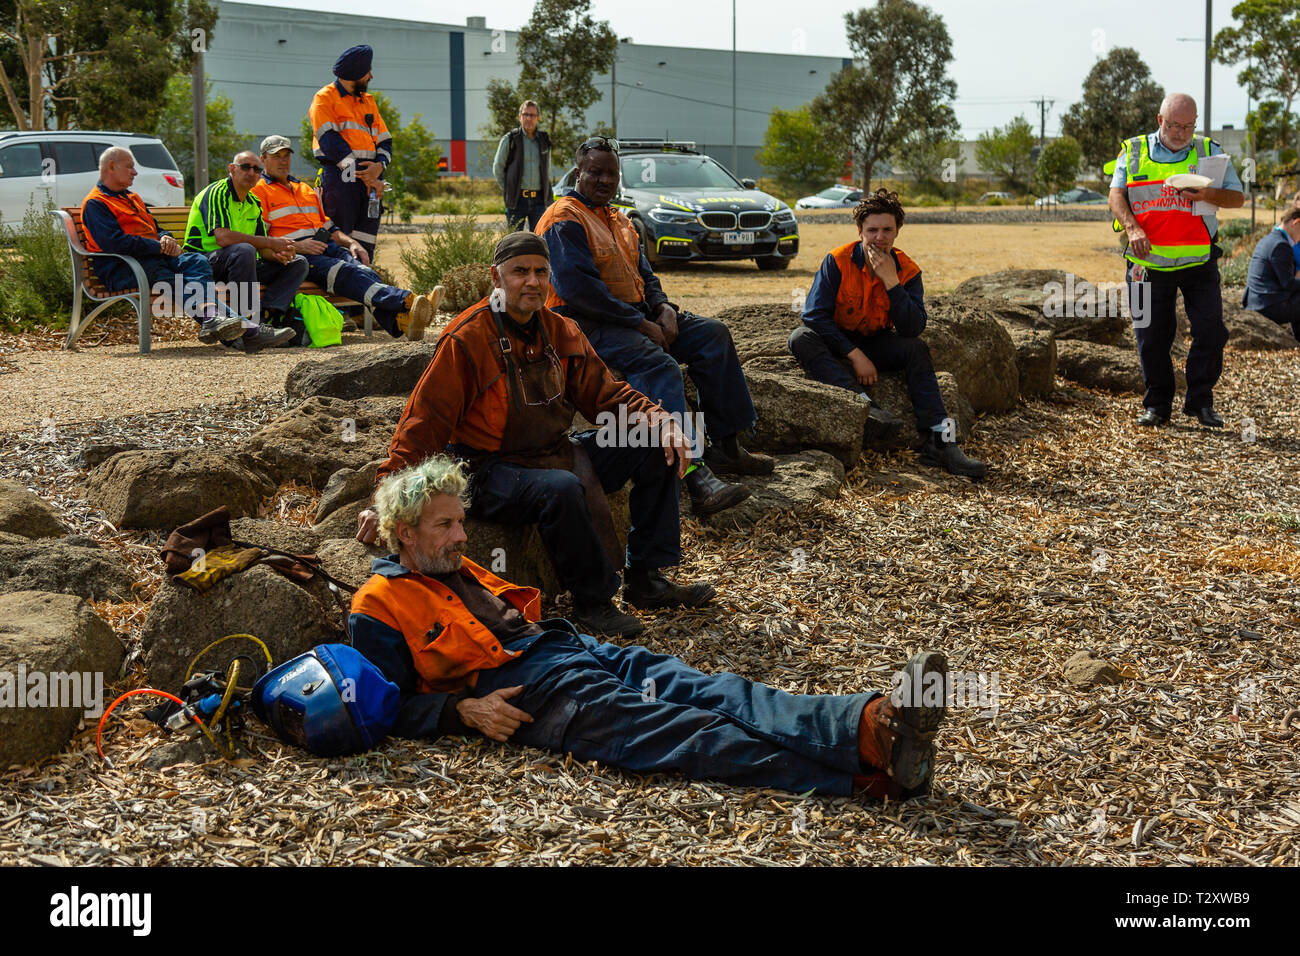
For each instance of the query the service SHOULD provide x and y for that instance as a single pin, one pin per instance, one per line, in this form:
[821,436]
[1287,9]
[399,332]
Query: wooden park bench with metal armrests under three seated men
[88,287]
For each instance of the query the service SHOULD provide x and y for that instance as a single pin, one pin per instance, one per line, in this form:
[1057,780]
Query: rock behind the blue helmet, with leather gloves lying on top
[288,617]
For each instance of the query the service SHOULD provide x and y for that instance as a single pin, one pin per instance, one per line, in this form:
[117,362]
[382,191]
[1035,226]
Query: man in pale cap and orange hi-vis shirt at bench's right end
[339,263]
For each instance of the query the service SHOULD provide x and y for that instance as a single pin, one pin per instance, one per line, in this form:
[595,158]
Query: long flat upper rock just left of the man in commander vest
[1052,300]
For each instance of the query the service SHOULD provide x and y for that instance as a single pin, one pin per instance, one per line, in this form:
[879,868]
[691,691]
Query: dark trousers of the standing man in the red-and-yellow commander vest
[1155,325]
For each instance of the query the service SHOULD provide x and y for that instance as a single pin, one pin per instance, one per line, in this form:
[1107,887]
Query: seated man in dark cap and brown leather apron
[502,390]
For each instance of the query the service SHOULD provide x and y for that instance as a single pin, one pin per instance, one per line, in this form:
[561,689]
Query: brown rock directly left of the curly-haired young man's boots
[798,414]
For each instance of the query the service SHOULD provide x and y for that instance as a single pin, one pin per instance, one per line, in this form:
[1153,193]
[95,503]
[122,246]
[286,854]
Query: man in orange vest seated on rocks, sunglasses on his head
[603,280]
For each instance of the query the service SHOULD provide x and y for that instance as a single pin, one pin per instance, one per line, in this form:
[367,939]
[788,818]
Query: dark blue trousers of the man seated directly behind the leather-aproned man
[705,347]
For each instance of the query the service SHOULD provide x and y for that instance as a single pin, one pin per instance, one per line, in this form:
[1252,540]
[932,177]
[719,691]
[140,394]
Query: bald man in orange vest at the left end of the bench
[116,220]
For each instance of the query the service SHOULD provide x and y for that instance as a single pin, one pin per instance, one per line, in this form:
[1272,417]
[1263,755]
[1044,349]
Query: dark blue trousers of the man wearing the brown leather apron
[553,499]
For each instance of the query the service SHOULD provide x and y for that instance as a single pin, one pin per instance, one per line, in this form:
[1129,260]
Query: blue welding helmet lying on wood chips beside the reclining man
[331,702]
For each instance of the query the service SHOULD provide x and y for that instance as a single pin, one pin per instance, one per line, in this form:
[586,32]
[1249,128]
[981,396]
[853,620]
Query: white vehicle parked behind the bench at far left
[64,166]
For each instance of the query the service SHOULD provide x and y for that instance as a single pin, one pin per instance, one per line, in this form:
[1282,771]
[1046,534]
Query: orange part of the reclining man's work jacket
[448,643]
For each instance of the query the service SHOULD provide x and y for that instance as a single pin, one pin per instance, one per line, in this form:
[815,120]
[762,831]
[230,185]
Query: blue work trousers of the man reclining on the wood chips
[652,713]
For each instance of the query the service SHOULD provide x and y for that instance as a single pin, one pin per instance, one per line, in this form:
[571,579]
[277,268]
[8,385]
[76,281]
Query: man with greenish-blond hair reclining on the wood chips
[469,655]
